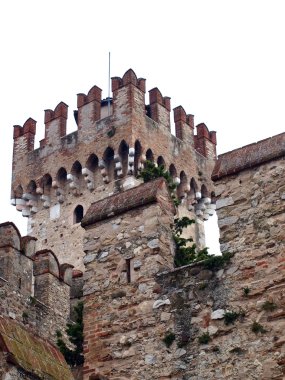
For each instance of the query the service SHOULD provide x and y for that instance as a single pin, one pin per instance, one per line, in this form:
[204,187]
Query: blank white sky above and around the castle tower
[222,60]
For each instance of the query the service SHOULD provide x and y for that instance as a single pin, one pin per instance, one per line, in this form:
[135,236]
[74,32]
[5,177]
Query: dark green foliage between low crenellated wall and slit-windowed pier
[75,334]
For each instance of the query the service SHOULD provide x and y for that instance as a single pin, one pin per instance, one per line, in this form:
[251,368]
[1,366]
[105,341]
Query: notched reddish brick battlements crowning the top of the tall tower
[92,109]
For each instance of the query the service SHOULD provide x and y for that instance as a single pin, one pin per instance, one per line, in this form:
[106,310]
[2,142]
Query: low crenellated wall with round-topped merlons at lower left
[35,287]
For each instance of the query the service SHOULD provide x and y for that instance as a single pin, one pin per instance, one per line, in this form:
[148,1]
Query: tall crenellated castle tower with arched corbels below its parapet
[54,185]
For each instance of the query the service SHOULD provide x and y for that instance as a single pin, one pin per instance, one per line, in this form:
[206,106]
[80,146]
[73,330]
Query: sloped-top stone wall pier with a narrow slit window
[122,330]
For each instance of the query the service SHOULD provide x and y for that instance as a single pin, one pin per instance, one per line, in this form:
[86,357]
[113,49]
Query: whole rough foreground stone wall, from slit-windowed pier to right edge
[194,321]
